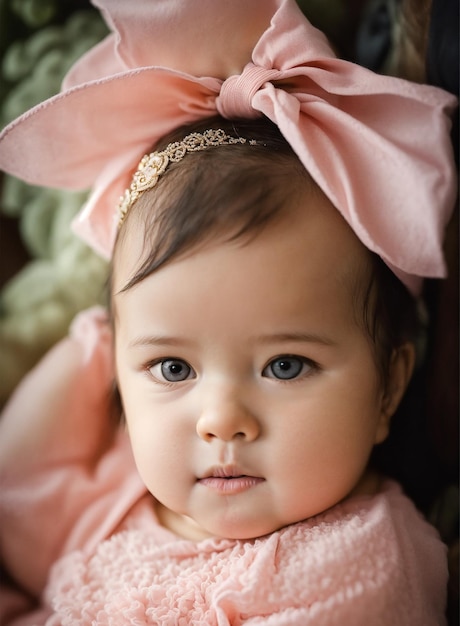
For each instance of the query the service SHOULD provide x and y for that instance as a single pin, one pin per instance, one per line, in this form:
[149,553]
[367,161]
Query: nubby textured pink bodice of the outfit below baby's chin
[372,561]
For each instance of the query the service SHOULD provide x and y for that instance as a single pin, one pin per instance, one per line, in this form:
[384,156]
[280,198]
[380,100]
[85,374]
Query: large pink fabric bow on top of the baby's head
[378,146]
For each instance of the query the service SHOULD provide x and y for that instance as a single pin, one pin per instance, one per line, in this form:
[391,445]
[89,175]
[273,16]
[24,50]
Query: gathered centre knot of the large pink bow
[237,92]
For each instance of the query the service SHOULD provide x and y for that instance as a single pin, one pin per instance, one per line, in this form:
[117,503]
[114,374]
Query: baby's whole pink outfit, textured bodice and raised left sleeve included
[80,538]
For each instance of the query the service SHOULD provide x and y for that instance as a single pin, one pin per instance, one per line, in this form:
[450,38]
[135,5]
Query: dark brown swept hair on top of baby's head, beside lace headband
[233,190]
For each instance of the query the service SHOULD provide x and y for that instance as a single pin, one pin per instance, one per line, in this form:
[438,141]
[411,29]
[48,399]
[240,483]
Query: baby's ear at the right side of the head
[399,374]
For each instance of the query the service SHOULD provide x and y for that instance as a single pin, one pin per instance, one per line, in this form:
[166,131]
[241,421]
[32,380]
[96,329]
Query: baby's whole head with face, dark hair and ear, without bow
[245,320]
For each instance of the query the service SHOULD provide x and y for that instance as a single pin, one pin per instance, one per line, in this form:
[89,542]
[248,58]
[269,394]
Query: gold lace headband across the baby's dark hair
[153,165]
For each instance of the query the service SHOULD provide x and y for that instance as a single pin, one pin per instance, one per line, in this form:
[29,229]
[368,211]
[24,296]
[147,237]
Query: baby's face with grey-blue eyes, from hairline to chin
[251,394]
